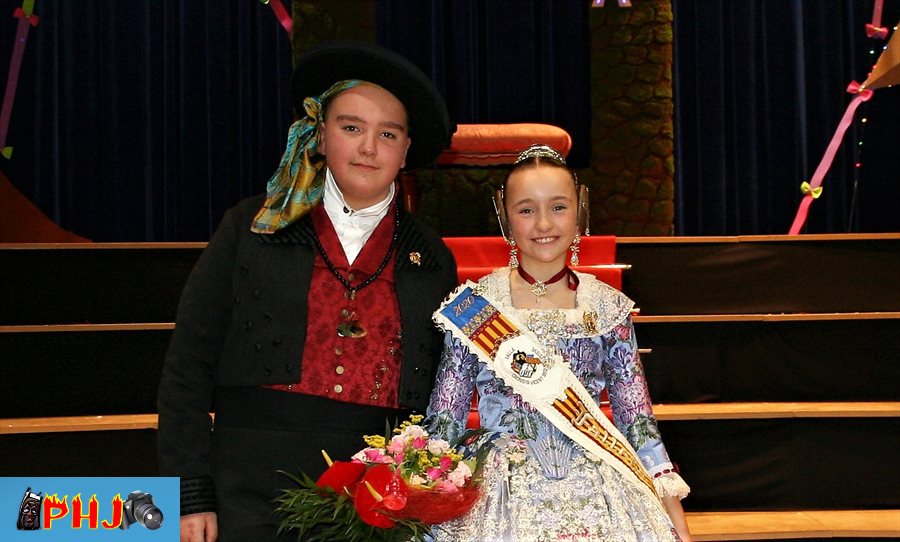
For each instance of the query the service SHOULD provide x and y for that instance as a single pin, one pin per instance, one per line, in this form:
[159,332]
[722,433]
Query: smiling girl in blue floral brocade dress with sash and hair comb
[540,342]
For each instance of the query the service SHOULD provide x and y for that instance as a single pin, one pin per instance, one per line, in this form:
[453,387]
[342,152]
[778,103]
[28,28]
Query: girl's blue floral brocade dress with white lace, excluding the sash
[538,484]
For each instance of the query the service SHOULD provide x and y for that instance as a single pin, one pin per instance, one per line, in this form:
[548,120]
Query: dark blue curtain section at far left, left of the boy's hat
[144,120]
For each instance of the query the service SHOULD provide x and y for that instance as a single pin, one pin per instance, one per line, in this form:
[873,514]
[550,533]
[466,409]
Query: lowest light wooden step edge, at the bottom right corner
[793,525]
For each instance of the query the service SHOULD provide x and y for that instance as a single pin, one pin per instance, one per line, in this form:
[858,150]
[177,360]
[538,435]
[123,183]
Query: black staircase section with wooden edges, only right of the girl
[774,363]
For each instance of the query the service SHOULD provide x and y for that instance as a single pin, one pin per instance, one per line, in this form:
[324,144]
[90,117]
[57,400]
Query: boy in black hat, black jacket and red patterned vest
[306,321]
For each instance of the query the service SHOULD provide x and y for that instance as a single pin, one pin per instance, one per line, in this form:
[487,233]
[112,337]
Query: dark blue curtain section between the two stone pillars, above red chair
[500,61]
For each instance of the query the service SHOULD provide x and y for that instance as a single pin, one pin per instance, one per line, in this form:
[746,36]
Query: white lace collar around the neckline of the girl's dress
[609,307]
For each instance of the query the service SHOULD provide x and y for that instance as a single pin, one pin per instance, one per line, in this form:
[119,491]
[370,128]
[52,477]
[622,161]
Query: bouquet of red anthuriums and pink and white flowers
[392,490]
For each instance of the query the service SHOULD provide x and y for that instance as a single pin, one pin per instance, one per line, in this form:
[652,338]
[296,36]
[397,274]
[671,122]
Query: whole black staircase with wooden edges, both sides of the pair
[84,328]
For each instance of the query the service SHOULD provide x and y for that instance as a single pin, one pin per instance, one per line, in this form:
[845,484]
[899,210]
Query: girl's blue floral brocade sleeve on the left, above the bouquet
[454,386]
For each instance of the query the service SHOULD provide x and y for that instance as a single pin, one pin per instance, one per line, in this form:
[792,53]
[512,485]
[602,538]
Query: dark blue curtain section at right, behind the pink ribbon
[759,91]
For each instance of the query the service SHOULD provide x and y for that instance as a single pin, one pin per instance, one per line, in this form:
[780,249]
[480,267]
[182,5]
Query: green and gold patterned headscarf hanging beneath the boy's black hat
[298,183]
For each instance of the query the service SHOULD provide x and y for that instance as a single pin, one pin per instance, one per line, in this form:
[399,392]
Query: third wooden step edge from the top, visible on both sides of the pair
[698,411]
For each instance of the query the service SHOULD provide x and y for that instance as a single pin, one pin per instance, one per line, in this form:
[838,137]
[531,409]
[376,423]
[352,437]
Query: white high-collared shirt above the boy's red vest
[353,226]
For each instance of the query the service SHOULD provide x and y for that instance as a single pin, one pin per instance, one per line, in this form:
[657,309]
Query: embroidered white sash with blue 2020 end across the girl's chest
[542,378]
